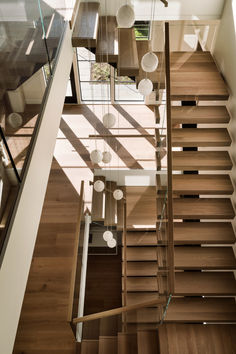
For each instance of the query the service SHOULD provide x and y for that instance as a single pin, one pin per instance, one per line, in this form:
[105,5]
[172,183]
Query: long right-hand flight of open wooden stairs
[204,259]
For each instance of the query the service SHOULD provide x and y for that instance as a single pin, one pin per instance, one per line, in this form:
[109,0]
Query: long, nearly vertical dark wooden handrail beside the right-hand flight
[171,278]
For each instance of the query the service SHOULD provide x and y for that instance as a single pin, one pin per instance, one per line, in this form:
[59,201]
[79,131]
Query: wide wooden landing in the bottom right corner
[179,338]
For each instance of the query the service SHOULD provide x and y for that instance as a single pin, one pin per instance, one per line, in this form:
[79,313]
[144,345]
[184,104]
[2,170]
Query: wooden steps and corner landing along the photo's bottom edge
[167,339]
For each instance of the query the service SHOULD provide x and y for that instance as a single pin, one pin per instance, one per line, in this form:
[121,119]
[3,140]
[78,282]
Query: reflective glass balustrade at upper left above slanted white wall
[30,31]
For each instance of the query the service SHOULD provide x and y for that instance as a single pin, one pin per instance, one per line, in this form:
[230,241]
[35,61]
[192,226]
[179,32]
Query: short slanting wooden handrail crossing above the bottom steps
[119,310]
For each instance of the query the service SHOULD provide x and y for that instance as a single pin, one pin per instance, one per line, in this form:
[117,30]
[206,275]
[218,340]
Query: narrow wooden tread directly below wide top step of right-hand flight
[199,115]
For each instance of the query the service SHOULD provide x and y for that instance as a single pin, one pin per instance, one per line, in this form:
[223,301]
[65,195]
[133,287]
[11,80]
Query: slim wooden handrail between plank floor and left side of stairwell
[75,254]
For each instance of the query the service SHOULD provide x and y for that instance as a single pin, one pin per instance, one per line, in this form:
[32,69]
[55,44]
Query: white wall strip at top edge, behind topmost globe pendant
[177,9]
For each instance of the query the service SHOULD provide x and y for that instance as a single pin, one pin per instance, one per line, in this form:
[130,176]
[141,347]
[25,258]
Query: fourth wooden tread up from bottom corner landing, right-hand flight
[203,232]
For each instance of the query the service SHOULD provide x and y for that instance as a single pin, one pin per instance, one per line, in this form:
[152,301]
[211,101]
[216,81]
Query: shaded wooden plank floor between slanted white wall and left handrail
[43,327]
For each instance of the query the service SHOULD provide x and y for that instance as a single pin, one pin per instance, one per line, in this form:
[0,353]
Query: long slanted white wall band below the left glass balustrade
[18,255]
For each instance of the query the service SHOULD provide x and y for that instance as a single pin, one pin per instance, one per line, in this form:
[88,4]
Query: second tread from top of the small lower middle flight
[141,254]
